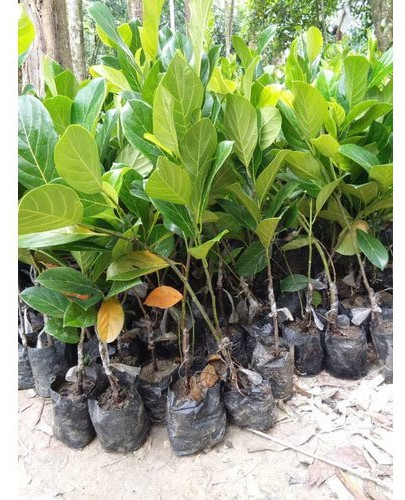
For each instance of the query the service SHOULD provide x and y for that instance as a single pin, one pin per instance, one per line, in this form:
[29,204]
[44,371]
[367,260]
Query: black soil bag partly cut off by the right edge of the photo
[382,337]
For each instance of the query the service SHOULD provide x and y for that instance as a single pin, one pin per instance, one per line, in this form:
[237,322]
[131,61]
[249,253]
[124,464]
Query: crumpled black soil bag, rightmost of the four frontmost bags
[251,406]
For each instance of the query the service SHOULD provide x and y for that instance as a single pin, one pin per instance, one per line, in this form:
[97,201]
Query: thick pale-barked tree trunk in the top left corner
[52,39]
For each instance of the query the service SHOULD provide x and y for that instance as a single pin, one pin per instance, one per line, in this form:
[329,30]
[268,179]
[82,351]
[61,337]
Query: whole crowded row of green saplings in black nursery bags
[193,228]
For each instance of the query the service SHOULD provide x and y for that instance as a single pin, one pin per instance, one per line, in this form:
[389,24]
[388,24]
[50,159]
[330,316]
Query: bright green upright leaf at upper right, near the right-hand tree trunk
[356,72]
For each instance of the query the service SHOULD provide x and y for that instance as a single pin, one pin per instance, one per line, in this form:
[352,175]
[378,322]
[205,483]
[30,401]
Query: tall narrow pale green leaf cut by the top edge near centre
[199,13]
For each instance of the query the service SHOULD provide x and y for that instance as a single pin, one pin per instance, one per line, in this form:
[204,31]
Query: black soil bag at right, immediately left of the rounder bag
[308,352]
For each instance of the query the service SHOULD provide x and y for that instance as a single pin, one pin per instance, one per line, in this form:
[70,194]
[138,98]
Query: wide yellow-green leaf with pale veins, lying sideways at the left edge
[48,207]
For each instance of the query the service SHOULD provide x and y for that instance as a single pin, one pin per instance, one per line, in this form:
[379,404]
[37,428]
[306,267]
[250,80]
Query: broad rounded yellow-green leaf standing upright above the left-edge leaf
[77,160]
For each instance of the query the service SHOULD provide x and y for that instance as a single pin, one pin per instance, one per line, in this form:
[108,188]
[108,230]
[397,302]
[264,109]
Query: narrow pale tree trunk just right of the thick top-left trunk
[75,19]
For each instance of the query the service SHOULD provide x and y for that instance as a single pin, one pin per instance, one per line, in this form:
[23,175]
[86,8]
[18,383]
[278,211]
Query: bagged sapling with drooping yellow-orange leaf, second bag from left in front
[115,405]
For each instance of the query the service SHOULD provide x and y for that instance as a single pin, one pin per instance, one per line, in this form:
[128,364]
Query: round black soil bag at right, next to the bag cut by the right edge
[346,352]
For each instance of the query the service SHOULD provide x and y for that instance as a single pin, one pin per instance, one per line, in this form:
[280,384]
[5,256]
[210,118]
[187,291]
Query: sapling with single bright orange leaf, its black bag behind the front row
[155,376]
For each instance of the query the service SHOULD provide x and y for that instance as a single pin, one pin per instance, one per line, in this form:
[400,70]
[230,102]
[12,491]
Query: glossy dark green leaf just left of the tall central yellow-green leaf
[136,119]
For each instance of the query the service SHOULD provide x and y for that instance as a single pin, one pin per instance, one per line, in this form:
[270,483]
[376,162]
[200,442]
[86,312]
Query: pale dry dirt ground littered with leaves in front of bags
[349,422]
